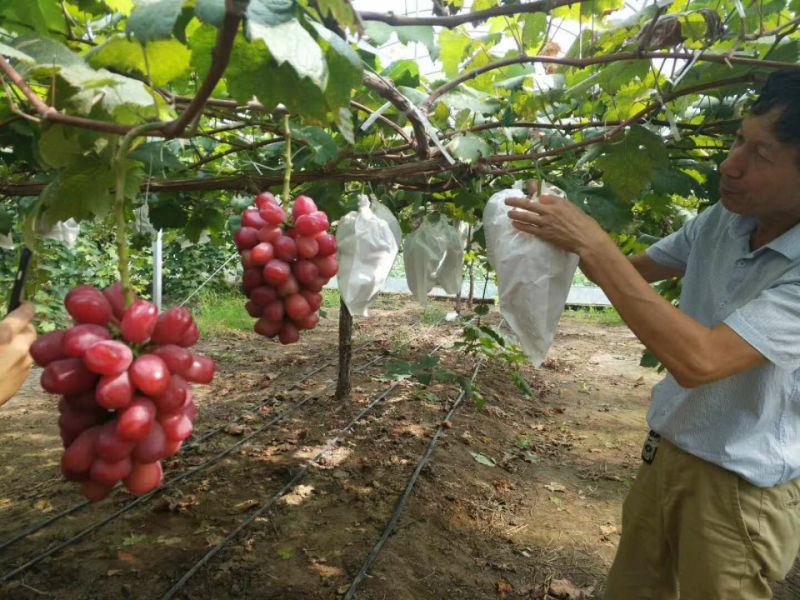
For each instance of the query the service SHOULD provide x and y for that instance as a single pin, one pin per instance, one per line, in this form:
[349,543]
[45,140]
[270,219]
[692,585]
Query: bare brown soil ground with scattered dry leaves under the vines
[521,499]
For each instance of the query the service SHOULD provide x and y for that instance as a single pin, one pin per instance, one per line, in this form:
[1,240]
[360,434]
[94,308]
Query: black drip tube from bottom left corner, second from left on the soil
[141,499]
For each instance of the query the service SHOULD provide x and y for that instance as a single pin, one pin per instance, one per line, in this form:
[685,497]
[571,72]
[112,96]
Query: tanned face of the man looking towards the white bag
[761,176]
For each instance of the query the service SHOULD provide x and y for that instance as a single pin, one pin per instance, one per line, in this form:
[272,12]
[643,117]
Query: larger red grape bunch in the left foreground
[124,378]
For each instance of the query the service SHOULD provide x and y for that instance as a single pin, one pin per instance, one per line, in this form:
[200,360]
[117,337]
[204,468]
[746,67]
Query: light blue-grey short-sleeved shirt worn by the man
[748,423]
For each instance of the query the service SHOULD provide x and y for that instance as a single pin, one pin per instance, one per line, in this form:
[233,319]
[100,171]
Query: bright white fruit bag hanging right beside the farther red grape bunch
[367,248]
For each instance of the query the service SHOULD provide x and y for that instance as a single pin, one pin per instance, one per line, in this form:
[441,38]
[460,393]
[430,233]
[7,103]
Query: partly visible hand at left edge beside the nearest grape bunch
[16,336]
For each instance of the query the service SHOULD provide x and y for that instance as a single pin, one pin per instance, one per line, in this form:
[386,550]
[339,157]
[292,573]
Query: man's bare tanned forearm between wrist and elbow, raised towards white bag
[676,339]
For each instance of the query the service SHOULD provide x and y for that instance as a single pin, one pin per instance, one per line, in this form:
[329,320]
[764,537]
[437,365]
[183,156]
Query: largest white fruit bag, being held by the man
[533,276]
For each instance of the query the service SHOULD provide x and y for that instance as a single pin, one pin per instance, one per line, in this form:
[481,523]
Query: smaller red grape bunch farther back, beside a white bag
[286,264]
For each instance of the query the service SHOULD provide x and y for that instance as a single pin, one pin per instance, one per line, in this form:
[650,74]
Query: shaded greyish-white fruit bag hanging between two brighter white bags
[433,255]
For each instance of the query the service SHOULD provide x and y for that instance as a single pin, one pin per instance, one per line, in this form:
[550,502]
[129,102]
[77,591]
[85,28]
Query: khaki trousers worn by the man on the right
[695,531]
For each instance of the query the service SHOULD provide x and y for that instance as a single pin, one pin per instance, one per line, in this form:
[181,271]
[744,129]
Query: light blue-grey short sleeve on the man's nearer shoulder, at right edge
[770,323]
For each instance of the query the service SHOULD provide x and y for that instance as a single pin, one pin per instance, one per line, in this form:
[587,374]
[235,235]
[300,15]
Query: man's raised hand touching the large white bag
[557,221]
